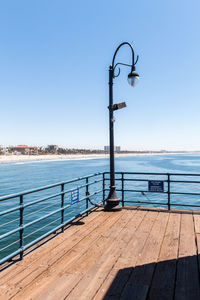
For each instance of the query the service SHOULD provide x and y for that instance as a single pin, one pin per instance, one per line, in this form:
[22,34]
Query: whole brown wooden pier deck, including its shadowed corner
[131,254]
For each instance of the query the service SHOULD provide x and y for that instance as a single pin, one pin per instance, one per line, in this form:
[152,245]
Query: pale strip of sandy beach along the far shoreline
[22,158]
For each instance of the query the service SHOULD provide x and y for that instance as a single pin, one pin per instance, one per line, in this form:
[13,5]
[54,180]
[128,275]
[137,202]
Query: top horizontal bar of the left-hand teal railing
[47,187]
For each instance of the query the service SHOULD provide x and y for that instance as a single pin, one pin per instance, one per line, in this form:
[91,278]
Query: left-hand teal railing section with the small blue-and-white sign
[29,217]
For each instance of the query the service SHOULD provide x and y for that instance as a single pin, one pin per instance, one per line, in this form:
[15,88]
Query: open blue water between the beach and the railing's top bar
[19,176]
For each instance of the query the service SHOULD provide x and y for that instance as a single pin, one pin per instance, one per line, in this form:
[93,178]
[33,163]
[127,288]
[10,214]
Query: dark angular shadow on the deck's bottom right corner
[173,279]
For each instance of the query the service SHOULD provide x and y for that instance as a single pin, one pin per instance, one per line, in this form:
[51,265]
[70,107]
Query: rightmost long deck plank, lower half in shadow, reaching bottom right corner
[187,280]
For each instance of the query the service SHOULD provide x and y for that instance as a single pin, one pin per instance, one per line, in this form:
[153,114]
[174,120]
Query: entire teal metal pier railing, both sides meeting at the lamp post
[29,217]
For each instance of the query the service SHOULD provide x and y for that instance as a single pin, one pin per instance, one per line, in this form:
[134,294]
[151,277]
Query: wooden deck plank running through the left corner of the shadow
[121,270]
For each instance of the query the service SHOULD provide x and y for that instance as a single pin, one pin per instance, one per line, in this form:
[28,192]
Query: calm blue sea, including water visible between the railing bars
[17,177]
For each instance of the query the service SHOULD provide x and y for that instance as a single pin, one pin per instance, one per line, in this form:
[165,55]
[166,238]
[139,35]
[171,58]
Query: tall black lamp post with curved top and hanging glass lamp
[113,201]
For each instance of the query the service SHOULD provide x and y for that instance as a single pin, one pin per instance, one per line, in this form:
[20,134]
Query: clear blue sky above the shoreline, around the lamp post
[54,60]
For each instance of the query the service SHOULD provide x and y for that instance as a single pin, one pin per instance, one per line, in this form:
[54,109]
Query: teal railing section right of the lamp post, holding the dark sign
[168,190]
